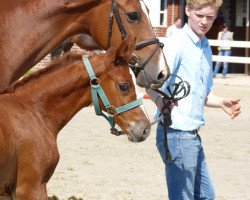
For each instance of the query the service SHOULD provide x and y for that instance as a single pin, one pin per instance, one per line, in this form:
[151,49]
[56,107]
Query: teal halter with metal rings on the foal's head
[96,90]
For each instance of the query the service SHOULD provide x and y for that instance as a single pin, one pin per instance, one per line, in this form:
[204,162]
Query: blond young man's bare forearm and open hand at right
[230,105]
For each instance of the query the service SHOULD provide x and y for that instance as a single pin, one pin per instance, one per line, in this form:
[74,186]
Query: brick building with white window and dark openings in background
[234,13]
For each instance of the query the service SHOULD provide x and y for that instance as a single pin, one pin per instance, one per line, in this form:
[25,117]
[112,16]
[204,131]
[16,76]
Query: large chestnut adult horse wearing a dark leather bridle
[30,29]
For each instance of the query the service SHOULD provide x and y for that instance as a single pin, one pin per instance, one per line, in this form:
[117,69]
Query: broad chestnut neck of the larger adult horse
[32,42]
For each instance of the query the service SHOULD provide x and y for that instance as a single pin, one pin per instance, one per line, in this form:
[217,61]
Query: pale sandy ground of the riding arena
[96,165]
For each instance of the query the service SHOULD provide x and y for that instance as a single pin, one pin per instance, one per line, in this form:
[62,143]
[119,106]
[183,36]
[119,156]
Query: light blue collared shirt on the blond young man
[191,59]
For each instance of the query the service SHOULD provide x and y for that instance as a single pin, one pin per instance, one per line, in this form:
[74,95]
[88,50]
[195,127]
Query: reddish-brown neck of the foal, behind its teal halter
[59,95]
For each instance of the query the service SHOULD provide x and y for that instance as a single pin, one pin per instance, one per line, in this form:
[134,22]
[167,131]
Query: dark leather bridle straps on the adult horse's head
[136,67]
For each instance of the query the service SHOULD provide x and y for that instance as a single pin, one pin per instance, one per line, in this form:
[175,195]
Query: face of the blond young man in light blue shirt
[201,20]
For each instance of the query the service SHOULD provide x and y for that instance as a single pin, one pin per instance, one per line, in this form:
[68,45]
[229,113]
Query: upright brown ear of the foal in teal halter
[124,52]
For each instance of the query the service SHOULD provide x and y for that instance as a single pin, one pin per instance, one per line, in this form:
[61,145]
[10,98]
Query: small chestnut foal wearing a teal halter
[37,107]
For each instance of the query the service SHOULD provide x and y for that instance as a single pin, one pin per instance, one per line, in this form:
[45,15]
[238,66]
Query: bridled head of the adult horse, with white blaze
[116,19]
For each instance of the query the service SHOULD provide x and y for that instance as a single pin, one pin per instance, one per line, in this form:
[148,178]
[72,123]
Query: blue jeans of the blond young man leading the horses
[187,176]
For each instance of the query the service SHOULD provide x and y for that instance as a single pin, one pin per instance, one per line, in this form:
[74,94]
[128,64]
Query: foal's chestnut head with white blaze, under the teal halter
[119,87]
